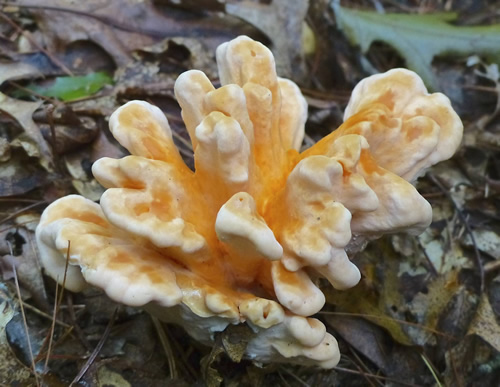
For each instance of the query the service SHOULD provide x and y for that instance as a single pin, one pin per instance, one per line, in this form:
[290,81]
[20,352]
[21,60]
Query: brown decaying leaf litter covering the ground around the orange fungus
[427,309]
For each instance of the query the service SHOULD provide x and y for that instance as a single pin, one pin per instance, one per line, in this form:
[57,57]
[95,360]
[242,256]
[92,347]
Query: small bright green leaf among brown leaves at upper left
[70,88]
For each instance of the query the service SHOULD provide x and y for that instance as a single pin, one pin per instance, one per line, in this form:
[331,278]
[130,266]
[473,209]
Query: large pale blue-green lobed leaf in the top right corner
[419,38]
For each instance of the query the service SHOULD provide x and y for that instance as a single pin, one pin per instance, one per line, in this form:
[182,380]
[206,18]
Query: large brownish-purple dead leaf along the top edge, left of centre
[118,26]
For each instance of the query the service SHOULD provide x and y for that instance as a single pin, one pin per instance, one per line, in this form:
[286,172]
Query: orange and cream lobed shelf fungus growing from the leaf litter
[246,237]
